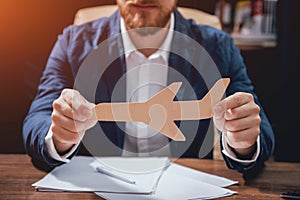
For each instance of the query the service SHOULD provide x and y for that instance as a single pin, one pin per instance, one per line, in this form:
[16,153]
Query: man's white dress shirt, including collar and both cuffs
[145,77]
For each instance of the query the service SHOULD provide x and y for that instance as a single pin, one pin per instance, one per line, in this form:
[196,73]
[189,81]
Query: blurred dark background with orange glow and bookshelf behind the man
[29,29]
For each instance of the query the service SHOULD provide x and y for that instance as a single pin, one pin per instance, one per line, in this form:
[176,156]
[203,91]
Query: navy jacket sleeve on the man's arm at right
[241,82]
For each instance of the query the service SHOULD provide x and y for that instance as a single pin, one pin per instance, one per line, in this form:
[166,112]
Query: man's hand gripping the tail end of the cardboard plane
[237,116]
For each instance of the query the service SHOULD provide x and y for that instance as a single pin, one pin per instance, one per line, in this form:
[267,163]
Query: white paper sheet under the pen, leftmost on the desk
[80,175]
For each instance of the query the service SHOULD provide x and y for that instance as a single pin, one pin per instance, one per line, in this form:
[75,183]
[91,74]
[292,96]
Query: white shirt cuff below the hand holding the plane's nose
[52,150]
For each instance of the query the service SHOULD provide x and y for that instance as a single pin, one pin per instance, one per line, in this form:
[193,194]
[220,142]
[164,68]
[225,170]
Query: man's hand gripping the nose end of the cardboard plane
[72,115]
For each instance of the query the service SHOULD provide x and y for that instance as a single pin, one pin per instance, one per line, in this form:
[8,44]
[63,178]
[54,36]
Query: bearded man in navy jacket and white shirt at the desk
[59,116]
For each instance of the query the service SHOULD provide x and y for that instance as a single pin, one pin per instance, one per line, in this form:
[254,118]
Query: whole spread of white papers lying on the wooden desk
[153,179]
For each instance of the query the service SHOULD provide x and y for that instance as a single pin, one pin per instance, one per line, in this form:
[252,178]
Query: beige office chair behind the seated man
[91,13]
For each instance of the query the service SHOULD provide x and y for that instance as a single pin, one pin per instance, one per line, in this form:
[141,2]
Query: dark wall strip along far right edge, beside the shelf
[288,109]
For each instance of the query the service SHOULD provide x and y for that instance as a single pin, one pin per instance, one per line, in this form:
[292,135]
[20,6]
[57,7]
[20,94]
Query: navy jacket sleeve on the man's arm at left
[56,76]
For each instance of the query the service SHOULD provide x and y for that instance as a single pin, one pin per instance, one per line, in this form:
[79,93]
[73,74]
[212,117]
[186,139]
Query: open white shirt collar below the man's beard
[162,51]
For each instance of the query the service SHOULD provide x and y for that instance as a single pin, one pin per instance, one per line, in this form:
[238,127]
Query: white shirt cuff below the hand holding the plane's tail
[229,153]
